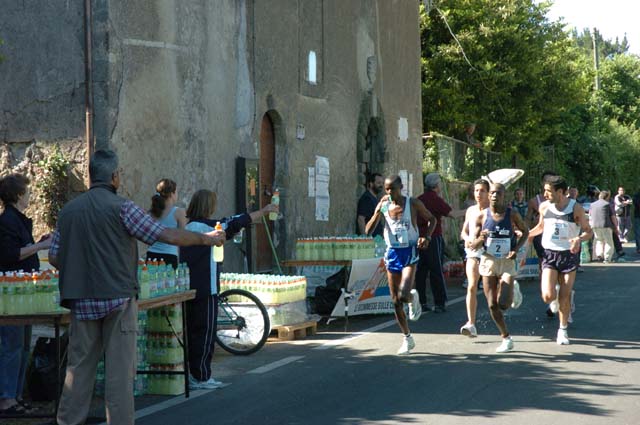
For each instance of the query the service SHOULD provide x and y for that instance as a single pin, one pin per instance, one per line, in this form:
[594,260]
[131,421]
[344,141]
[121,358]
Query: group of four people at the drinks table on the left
[95,249]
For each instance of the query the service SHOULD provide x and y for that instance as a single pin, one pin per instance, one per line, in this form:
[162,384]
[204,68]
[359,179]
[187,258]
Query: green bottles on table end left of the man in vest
[29,293]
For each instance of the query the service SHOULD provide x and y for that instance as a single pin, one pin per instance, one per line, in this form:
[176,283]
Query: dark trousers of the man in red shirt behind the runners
[430,265]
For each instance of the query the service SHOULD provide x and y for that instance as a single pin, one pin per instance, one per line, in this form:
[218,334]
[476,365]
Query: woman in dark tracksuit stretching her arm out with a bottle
[202,311]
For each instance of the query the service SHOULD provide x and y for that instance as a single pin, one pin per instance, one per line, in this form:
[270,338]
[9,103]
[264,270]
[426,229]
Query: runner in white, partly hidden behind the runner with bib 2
[481,195]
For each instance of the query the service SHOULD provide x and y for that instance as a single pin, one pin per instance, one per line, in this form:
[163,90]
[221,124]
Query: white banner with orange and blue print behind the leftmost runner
[369,289]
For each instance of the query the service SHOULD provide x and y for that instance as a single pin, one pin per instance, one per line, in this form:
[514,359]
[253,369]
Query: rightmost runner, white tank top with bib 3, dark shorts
[561,221]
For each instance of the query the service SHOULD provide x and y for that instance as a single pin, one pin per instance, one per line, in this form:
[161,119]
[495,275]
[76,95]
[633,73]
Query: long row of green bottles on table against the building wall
[335,248]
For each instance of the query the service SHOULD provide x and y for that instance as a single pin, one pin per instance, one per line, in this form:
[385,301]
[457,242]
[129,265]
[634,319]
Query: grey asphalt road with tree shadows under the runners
[356,378]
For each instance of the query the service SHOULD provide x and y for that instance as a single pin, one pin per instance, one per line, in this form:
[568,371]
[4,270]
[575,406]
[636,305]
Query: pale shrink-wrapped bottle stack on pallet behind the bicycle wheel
[283,296]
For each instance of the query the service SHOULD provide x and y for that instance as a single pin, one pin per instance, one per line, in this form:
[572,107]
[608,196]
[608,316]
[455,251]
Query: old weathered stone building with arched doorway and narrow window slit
[183,88]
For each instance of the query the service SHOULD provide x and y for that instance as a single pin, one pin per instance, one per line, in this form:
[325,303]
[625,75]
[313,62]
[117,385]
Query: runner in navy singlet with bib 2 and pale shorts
[497,264]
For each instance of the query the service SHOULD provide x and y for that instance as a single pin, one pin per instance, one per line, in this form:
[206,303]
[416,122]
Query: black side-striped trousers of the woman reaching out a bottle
[202,318]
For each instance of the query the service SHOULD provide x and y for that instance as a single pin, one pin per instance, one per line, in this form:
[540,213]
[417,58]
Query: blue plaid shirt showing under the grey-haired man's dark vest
[139,225]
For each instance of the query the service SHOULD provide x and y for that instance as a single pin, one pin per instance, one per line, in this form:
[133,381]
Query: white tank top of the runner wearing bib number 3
[559,227]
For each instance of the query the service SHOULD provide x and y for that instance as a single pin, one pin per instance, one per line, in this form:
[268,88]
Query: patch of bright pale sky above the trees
[613,18]
